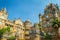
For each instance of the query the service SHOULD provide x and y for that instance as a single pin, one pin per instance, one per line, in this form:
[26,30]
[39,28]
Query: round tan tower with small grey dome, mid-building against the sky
[27,25]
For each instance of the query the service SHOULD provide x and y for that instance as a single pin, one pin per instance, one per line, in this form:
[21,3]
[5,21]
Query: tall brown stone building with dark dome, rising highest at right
[51,13]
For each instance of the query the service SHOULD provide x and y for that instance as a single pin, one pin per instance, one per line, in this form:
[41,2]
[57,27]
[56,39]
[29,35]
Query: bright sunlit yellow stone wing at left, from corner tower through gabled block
[16,26]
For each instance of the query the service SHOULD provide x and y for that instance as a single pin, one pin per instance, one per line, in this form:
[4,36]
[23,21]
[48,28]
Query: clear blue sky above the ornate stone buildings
[26,9]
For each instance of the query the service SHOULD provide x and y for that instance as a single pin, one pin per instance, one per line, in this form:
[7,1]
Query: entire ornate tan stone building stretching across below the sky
[26,31]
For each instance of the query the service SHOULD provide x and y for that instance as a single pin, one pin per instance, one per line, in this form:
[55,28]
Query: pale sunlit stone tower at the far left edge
[3,17]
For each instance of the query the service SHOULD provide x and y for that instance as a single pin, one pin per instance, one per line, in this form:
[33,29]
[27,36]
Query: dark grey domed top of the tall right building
[51,8]
